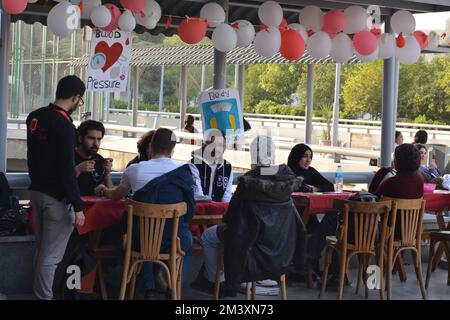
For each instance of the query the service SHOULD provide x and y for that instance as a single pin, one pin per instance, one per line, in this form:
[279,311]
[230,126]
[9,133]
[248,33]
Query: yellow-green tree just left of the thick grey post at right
[362,90]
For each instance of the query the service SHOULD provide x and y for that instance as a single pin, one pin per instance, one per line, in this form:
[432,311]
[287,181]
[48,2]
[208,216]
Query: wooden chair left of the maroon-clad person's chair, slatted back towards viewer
[366,217]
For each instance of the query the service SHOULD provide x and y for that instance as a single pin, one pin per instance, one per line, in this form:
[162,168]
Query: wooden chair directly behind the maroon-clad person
[408,213]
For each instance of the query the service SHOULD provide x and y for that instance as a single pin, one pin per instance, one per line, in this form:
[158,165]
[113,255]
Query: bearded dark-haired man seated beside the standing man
[91,168]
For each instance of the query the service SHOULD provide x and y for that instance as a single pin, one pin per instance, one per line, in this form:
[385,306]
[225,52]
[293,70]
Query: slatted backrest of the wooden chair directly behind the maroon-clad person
[409,213]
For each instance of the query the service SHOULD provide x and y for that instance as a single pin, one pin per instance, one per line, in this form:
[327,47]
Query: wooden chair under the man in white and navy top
[152,219]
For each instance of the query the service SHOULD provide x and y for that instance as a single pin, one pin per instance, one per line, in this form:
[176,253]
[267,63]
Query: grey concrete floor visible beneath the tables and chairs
[409,290]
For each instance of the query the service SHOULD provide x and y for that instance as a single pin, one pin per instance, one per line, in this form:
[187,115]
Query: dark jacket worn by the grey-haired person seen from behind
[262,227]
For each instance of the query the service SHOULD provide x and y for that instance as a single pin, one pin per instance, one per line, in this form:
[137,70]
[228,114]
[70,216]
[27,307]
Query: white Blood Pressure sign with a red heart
[109,61]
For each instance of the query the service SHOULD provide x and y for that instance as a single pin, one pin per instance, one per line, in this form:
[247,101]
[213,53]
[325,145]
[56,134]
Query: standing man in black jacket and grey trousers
[54,192]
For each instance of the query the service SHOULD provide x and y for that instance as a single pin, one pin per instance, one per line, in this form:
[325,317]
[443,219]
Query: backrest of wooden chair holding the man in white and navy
[152,219]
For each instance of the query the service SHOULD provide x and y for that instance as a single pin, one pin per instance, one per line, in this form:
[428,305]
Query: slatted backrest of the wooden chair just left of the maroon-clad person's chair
[366,217]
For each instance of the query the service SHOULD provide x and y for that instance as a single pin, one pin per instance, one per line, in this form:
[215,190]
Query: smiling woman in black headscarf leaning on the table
[299,161]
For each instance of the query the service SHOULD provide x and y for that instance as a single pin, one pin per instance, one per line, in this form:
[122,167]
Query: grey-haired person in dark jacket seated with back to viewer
[261,229]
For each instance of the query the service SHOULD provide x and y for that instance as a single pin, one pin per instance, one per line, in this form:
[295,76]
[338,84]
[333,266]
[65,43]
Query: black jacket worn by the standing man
[51,145]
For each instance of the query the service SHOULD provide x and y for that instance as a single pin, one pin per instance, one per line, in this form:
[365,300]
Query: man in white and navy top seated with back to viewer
[160,180]
